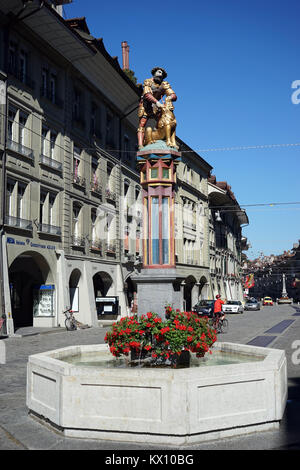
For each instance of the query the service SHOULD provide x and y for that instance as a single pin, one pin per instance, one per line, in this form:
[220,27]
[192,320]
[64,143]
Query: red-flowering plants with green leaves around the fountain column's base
[167,342]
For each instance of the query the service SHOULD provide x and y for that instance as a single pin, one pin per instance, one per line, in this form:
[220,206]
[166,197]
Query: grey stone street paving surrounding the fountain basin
[19,431]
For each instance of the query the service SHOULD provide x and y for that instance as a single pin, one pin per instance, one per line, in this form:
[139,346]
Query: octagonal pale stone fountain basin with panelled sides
[84,392]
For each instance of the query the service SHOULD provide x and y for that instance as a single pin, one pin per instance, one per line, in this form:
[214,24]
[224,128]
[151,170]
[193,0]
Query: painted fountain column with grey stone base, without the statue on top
[157,284]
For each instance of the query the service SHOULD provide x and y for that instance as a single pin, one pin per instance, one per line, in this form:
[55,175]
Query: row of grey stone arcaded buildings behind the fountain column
[71,199]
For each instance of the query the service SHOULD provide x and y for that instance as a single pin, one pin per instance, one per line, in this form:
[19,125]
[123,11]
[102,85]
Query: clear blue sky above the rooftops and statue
[231,64]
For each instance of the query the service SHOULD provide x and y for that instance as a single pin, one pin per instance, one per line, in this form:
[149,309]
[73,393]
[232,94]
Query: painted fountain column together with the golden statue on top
[156,160]
